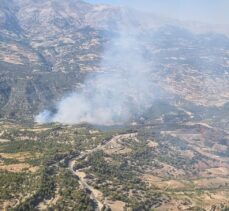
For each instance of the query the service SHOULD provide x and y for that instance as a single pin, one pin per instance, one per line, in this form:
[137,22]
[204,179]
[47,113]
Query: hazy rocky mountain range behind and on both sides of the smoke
[48,47]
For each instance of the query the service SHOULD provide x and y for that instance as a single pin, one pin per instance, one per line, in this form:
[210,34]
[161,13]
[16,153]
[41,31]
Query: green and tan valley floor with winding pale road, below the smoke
[142,167]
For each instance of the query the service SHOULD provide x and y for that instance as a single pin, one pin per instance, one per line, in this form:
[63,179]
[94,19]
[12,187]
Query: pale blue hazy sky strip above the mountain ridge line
[208,11]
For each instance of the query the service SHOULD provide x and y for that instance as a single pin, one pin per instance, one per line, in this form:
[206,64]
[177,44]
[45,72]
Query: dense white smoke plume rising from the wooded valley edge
[124,90]
